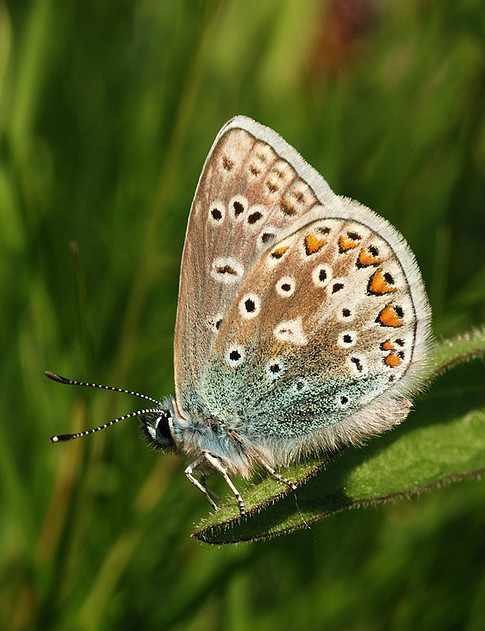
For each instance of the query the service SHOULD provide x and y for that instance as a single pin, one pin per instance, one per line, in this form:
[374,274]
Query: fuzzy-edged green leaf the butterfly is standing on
[441,441]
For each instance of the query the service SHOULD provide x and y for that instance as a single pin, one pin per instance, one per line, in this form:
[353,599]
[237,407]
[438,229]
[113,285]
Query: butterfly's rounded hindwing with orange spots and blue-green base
[324,339]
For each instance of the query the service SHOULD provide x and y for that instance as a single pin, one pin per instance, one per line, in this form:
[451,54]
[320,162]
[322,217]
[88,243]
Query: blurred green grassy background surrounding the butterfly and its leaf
[107,110]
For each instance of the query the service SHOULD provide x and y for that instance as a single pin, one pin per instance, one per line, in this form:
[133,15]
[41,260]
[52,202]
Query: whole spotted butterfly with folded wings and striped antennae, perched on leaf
[302,320]
